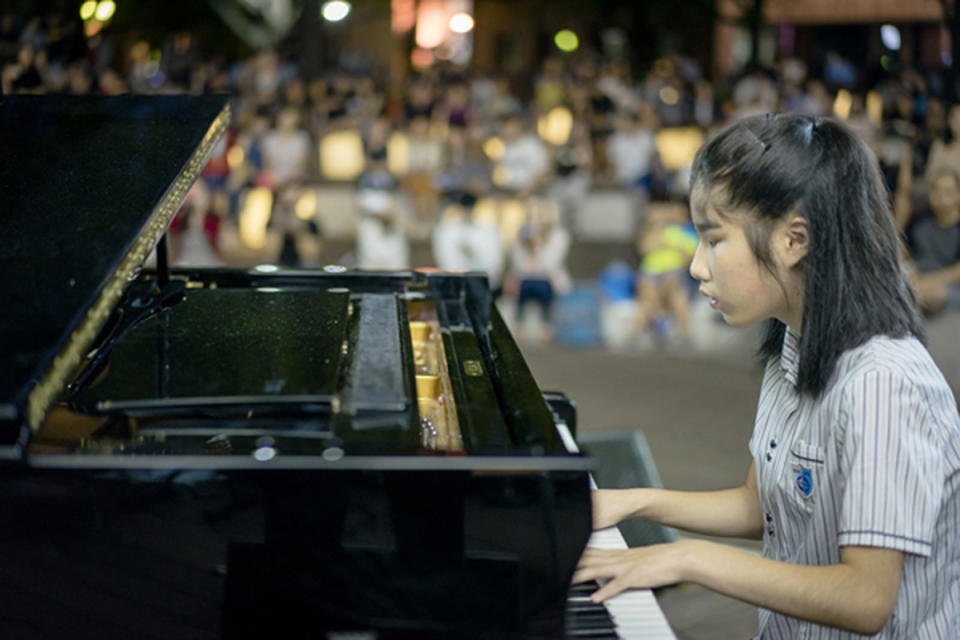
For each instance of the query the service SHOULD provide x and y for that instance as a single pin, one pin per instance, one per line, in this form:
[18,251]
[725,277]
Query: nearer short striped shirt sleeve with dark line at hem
[892,464]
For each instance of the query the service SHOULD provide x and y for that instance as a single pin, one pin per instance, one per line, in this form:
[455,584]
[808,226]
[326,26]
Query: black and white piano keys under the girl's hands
[635,613]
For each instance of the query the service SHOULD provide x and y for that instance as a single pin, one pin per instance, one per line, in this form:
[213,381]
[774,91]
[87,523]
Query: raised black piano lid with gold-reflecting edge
[88,185]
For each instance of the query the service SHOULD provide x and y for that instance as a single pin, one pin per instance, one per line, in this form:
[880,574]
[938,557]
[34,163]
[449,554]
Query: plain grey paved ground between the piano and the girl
[696,411]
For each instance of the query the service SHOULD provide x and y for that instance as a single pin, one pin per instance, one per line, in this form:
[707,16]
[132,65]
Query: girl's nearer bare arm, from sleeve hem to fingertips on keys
[857,594]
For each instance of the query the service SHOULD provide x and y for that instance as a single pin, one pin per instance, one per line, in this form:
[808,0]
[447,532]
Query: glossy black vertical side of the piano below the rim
[191,555]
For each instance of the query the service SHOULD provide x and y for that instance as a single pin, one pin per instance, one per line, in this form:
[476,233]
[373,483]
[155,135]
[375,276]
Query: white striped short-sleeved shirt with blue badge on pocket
[875,461]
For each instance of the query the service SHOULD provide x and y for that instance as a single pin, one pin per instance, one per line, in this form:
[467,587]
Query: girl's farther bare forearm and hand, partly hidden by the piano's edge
[731,512]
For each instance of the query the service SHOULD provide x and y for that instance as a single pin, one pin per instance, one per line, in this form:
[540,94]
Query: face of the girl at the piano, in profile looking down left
[731,276]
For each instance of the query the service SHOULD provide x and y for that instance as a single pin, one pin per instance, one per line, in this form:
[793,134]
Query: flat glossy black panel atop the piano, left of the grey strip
[228,346]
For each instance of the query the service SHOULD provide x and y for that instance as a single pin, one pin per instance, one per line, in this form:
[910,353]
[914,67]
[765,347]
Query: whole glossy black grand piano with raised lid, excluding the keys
[252,453]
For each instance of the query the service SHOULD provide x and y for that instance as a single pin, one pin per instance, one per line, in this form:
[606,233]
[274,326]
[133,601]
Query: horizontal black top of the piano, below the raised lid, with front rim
[244,356]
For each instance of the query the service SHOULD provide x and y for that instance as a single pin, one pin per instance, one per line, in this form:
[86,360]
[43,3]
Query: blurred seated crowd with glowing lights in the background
[494,172]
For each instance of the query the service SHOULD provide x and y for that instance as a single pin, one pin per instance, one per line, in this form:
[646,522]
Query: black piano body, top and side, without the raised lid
[294,519]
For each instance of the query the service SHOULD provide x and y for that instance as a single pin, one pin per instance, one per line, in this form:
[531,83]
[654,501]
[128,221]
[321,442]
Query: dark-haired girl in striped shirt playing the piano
[855,481]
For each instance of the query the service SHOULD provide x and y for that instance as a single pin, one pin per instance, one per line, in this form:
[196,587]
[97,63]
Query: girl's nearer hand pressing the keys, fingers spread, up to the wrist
[640,567]
